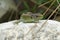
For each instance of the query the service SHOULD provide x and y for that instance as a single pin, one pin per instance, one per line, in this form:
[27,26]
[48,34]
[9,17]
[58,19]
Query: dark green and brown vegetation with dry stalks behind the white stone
[50,9]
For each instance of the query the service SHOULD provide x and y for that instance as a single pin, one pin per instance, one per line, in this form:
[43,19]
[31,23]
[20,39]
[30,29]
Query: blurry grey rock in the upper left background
[6,5]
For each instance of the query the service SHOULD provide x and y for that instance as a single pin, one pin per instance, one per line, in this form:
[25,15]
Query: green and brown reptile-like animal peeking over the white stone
[31,17]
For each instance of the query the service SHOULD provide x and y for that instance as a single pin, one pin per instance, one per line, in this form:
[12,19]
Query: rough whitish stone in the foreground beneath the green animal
[20,31]
